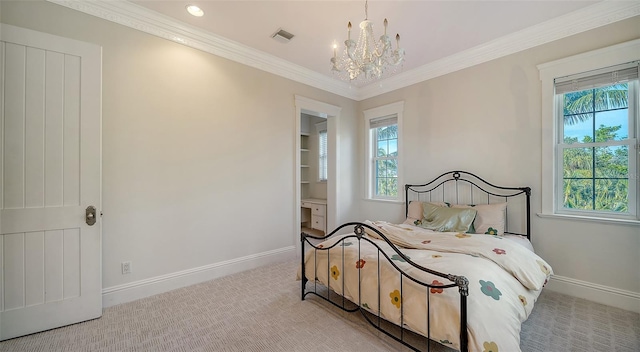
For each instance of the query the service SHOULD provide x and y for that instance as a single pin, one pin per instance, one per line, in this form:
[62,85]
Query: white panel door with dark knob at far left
[50,157]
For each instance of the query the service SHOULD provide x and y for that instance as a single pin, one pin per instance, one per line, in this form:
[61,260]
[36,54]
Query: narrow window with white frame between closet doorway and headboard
[383,138]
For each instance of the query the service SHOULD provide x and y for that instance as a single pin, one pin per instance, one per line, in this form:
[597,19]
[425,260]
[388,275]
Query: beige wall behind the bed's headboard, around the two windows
[487,120]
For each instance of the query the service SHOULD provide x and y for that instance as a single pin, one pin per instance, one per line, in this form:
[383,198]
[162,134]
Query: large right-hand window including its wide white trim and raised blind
[593,144]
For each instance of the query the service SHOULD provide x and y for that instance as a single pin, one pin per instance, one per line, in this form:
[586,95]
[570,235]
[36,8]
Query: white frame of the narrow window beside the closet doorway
[370,115]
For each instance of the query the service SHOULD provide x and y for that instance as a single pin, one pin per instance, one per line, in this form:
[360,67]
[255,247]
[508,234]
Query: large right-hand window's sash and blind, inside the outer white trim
[597,145]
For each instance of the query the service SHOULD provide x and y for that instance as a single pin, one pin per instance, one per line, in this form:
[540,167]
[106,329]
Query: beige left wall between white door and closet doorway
[198,151]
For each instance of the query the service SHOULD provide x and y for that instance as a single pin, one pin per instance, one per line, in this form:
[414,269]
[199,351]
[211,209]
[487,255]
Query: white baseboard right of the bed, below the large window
[610,296]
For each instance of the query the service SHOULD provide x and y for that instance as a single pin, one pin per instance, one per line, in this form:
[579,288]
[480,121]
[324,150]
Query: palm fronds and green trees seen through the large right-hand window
[596,177]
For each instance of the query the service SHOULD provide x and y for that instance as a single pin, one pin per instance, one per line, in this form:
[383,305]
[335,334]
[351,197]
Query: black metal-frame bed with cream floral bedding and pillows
[436,279]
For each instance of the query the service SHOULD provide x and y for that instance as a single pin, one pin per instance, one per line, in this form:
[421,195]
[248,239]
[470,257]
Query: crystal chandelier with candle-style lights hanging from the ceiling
[367,59]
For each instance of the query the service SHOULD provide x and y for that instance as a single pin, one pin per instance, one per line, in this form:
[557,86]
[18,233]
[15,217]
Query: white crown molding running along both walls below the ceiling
[142,19]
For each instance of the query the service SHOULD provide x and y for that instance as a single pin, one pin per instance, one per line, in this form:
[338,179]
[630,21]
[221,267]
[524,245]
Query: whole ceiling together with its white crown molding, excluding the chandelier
[439,36]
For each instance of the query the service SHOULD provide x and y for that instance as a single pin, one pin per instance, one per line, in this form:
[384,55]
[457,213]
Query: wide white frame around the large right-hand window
[551,131]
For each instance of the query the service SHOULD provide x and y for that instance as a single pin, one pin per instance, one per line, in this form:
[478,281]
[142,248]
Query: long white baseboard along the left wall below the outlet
[144,288]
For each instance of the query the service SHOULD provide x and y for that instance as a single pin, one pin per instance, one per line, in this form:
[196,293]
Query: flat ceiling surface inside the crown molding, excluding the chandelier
[429,30]
